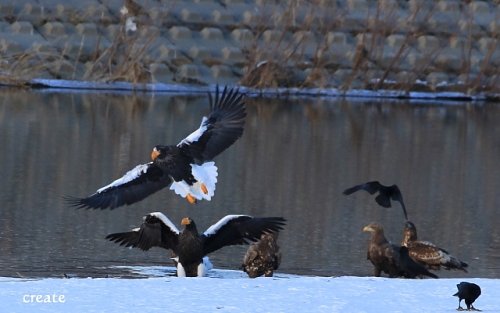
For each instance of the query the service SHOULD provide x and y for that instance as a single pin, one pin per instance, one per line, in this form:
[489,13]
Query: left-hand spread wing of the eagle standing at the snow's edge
[156,231]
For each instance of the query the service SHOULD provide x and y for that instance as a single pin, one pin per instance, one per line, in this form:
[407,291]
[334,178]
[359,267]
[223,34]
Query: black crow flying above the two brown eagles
[386,194]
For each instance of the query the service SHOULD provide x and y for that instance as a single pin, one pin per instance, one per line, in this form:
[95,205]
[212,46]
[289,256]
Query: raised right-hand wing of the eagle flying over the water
[223,126]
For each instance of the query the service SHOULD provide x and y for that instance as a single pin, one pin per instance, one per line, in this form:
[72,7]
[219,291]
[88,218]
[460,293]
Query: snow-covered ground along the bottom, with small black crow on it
[232,291]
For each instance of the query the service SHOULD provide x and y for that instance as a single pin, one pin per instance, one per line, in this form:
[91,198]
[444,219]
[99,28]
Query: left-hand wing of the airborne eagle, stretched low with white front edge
[135,185]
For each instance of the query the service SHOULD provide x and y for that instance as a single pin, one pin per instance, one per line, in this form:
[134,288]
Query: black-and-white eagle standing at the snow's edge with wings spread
[188,245]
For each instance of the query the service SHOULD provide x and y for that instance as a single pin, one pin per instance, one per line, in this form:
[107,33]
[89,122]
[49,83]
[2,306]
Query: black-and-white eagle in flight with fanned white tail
[187,167]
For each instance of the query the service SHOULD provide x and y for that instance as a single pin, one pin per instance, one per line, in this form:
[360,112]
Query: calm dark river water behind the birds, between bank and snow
[294,160]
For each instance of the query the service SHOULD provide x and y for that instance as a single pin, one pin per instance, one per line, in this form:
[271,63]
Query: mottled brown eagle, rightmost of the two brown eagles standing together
[427,253]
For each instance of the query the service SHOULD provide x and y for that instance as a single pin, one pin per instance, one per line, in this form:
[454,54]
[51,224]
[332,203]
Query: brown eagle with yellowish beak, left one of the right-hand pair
[390,258]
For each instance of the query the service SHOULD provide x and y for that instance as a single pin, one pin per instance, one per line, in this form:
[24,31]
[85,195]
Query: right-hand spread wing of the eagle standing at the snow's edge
[238,230]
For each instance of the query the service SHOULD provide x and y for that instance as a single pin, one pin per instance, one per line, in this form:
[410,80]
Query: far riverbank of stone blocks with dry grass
[430,46]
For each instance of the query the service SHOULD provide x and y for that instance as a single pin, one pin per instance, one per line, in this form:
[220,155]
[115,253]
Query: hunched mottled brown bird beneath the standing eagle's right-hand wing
[262,257]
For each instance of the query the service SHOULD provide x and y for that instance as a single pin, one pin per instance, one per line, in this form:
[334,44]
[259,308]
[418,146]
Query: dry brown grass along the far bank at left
[123,60]
